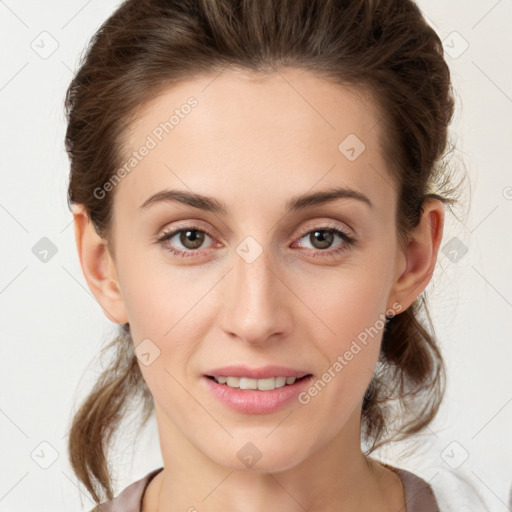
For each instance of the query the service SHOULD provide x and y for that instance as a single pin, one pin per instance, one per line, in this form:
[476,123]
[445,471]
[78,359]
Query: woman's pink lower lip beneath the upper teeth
[254,401]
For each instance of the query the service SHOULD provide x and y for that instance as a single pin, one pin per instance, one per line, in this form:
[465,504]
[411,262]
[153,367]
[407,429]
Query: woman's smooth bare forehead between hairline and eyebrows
[259,133]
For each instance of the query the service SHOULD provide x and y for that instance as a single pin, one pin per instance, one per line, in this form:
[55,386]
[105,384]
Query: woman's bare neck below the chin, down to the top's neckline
[336,477]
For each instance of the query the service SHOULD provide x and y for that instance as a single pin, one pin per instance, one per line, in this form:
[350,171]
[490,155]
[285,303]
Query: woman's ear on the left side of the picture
[98,266]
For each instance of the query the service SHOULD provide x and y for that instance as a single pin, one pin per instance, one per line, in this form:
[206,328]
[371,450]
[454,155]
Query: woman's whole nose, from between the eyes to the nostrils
[257,301]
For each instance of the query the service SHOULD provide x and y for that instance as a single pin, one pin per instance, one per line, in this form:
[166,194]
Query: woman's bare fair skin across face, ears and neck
[253,142]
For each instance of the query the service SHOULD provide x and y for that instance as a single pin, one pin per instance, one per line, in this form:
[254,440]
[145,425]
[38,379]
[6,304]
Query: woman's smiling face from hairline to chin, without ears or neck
[267,279]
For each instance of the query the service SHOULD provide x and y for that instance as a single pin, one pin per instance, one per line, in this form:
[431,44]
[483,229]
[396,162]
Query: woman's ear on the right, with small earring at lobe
[419,259]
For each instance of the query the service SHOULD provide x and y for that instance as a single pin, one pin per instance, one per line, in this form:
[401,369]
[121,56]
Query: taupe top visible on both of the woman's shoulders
[419,496]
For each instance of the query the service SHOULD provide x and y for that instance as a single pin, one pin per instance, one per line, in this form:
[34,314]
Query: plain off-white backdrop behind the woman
[51,326]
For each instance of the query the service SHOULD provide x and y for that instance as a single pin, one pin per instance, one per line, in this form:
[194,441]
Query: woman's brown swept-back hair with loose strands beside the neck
[382,47]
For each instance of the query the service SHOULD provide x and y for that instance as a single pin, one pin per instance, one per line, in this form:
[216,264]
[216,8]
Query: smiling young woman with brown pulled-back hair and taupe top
[258,191]
